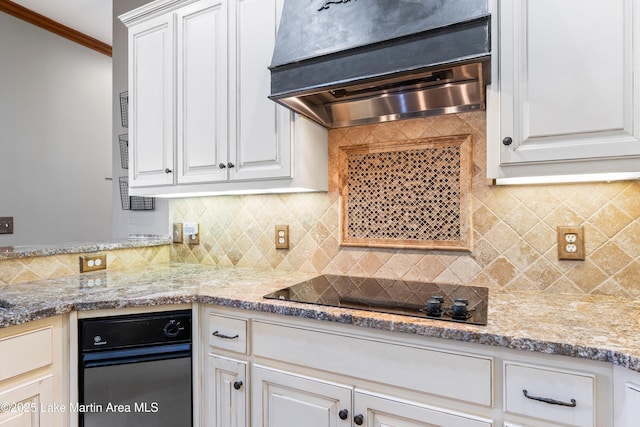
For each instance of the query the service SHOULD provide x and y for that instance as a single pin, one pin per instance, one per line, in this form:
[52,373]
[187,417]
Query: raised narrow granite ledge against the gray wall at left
[134,241]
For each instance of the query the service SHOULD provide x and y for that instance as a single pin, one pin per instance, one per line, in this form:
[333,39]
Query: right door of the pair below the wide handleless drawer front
[377,410]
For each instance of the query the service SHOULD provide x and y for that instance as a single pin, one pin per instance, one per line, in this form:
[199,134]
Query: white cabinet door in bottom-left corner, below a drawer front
[29,405]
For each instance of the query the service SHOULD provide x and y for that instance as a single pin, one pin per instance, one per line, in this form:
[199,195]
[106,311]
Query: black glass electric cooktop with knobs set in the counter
[454,303]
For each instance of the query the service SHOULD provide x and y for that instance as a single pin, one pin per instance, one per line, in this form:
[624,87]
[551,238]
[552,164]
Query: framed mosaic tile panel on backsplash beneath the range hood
[408,194]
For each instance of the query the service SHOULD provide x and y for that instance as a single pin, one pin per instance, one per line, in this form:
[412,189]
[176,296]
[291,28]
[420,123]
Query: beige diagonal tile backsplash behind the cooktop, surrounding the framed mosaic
[514,227]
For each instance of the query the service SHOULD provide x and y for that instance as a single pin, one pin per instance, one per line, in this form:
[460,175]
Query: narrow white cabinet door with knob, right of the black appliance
[226,404]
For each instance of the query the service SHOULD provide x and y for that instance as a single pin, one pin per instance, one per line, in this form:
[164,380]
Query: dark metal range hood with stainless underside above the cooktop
[350,62]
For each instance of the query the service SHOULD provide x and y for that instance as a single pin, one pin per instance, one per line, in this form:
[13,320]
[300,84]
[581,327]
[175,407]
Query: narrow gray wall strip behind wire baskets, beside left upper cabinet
[128,222]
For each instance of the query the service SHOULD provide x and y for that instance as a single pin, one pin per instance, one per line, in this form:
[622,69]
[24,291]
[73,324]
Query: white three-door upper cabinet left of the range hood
[209,127]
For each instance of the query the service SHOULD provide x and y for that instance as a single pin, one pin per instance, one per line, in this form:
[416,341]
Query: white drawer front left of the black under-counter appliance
[25,352]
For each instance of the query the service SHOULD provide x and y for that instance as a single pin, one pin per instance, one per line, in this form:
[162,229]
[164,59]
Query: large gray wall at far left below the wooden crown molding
[55,137]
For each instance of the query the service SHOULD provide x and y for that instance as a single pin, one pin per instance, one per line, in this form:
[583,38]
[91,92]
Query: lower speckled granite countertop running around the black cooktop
[589,327]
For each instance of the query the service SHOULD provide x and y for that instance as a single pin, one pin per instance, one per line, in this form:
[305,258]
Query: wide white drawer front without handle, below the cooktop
[442,373]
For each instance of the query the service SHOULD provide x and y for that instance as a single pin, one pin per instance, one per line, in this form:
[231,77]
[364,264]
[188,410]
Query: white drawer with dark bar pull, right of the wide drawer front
[558,388]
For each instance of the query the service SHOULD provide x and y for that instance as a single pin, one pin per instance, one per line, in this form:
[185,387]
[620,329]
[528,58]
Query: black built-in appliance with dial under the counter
[135,370]
